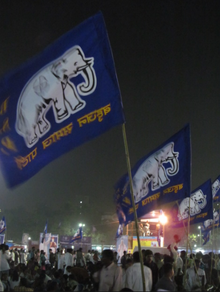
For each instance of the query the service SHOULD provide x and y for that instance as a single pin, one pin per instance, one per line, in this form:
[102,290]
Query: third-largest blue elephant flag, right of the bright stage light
[198,205]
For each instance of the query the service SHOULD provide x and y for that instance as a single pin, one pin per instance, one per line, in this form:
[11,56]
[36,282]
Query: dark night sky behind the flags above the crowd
[167,61]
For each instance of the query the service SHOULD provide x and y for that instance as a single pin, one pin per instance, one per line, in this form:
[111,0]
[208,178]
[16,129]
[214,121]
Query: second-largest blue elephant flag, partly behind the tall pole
[159,178]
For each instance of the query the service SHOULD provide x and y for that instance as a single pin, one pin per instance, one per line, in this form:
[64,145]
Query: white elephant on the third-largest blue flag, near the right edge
[192,205]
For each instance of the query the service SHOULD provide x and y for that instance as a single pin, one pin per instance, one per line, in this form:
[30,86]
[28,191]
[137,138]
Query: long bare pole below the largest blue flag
[133,204]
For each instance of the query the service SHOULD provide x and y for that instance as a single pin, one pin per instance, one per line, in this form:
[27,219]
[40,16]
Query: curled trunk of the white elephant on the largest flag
[90,81]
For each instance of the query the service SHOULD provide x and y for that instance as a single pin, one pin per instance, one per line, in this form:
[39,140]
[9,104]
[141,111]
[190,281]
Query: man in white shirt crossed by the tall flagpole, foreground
[133,277]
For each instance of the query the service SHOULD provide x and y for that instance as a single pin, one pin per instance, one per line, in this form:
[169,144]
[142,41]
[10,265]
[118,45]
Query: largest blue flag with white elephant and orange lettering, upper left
[58,100]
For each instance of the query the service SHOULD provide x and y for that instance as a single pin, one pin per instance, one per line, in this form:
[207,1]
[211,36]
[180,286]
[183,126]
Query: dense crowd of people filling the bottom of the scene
[68,270]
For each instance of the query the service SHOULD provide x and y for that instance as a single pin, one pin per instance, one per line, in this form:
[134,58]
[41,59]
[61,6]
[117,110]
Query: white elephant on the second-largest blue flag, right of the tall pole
[152,170]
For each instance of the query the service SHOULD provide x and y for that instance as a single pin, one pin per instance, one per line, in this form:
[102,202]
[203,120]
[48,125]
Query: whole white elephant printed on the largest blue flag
[51,87]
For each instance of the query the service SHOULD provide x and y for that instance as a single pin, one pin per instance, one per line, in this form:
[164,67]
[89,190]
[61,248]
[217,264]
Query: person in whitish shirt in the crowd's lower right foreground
[195,278]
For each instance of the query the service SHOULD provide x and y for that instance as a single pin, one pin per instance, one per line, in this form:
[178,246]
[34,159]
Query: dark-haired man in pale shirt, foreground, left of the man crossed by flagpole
[110,277]
